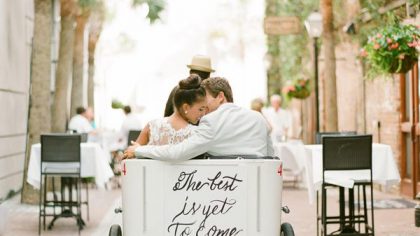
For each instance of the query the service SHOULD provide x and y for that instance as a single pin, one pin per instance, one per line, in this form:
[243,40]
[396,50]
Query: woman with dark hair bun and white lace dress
[190,105]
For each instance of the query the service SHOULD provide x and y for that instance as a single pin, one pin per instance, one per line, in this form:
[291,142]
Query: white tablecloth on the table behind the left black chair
[93,160]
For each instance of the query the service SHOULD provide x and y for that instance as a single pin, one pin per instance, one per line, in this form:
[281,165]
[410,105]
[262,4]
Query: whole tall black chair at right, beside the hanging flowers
[346,153]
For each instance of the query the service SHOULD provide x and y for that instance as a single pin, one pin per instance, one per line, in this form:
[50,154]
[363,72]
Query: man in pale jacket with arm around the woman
[227,130]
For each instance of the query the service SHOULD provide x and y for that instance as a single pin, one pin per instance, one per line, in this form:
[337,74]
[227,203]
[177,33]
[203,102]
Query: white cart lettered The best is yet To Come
[209,197]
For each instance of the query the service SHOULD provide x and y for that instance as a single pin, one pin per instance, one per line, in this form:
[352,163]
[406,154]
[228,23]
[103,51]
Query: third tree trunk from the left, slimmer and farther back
[77,91]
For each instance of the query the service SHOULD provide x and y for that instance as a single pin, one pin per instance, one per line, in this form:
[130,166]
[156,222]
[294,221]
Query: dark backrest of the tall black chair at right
[347,152]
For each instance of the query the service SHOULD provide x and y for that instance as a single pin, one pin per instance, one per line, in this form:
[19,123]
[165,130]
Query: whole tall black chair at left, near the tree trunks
[60,156]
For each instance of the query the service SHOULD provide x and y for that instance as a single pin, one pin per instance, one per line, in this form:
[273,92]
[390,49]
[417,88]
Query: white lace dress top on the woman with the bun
[162,132]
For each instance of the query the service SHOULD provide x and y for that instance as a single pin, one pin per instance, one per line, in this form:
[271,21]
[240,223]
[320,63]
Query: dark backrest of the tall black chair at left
[60,147]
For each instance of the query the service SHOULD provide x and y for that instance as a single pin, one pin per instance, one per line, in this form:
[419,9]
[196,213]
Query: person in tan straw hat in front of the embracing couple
[201,66]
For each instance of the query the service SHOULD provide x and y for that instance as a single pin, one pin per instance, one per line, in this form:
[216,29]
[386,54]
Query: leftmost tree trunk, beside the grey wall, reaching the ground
[39,111]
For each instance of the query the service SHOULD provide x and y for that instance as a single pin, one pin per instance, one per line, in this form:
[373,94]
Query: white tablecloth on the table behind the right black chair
[384,169]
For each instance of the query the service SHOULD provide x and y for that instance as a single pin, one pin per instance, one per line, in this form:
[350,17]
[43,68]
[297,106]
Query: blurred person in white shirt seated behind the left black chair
[81,121]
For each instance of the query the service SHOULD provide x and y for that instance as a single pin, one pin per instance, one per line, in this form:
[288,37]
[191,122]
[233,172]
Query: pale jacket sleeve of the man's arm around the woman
[197,144]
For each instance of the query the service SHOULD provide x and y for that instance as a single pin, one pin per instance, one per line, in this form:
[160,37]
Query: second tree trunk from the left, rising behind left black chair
[64,67]
